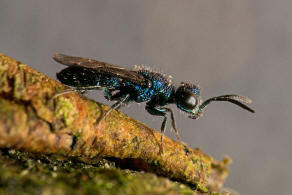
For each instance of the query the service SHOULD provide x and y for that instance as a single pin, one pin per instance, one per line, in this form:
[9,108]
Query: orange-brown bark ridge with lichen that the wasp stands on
[66,125]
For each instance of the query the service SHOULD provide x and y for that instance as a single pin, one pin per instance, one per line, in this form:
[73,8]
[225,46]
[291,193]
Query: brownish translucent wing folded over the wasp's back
[101,67]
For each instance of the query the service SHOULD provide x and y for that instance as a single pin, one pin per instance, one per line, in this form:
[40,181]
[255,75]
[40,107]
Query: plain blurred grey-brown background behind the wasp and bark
[227,46]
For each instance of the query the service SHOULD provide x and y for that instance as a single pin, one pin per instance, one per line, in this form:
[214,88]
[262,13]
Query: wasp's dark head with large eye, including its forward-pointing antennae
[187,97]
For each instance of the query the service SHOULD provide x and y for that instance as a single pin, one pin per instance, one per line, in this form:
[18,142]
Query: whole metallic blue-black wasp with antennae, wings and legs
[137,85]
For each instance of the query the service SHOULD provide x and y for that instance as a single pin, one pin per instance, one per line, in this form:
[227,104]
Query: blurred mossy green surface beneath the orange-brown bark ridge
[24,173]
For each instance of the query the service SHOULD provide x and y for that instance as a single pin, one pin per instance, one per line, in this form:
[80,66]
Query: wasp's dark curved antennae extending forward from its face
[235,99]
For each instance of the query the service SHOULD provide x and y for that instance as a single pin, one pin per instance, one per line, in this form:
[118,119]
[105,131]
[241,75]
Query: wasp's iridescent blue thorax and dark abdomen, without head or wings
[158,86]
